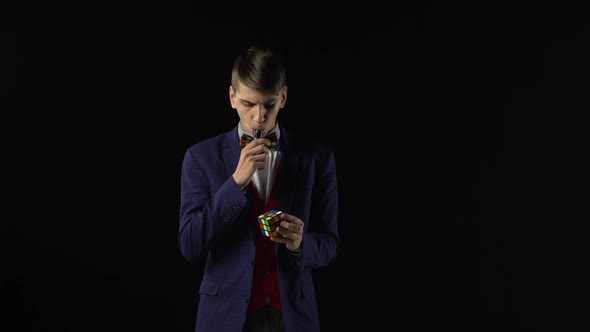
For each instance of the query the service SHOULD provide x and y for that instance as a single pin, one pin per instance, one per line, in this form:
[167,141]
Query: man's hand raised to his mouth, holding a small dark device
[252,158]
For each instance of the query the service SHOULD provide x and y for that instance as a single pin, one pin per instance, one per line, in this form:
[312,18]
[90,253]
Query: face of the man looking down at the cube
[256,110]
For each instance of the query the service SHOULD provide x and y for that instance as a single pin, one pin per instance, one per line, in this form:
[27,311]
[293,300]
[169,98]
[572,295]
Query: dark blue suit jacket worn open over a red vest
[217,224]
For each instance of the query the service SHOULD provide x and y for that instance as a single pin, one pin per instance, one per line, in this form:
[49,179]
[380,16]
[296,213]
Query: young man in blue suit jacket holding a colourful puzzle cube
[252,281]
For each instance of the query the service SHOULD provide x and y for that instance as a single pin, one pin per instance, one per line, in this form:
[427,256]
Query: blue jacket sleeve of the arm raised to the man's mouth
[205,211]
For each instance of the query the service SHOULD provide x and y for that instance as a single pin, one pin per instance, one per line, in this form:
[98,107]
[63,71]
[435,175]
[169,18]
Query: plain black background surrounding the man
[458,129]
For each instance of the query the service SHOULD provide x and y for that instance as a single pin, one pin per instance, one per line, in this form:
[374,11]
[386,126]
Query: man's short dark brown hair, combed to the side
[260,68]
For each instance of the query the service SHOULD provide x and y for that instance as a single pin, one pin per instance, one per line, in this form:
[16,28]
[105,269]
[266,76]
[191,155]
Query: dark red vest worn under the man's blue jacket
[265,285]
